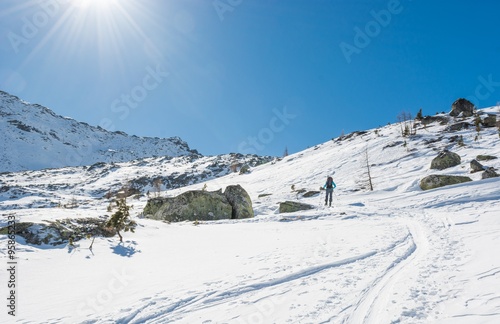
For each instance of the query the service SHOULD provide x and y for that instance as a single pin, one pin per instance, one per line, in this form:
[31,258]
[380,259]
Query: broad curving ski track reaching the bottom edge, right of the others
[370,308]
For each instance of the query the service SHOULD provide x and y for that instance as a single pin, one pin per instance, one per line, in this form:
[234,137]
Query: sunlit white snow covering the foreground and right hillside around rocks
[393,255]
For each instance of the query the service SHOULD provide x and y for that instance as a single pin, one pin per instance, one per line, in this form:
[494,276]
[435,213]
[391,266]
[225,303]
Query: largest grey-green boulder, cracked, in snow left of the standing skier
[194,205]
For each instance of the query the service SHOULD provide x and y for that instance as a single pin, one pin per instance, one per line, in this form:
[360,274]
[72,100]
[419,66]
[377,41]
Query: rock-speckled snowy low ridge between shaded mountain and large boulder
[56,187]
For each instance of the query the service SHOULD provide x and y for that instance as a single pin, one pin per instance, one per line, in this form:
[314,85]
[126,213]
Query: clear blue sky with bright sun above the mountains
[249,76]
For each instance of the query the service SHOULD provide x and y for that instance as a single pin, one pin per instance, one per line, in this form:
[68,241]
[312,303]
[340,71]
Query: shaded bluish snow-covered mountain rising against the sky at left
[33,137]
